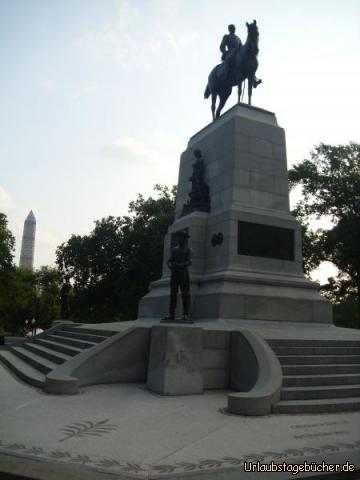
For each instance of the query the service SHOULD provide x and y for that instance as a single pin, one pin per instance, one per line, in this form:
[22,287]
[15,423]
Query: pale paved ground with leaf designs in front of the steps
[125,432]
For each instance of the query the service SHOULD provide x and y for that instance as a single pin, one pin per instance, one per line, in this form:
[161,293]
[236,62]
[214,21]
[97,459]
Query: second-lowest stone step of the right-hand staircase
[328,391]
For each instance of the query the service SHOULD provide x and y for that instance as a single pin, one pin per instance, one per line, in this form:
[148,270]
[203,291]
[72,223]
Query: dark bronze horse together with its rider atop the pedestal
[239,63]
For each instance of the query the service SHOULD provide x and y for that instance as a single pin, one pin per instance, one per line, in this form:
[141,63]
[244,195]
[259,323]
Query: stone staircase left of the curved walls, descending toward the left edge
[38,356]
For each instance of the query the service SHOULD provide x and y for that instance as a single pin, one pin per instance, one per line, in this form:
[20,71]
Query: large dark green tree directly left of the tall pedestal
[111,268]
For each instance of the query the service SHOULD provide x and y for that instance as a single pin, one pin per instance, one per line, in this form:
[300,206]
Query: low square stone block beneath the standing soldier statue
[175,361]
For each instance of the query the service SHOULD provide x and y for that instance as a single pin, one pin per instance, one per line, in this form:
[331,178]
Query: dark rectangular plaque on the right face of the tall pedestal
[259,240]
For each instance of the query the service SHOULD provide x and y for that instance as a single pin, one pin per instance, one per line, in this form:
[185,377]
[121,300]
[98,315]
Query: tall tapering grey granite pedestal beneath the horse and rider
[247,249]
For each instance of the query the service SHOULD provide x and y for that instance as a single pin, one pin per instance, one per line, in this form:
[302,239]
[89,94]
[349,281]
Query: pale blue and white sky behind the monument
[100,97]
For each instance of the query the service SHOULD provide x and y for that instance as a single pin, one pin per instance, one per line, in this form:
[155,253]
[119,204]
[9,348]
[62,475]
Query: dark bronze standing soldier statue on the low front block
[179,261]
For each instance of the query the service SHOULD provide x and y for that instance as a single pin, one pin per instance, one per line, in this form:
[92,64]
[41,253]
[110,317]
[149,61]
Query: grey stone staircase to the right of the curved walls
[319,376]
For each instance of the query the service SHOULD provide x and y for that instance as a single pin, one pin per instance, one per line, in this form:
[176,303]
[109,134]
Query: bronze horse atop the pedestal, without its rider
[244,66]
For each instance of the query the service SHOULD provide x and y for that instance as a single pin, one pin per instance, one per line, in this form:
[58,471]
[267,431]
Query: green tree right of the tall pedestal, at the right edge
[330,182]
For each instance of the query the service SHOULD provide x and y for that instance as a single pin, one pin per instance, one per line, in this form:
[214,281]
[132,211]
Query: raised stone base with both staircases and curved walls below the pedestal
[271,367]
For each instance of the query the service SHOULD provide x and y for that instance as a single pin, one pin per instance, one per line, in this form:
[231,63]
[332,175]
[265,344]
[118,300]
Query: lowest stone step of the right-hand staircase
[324,405]
